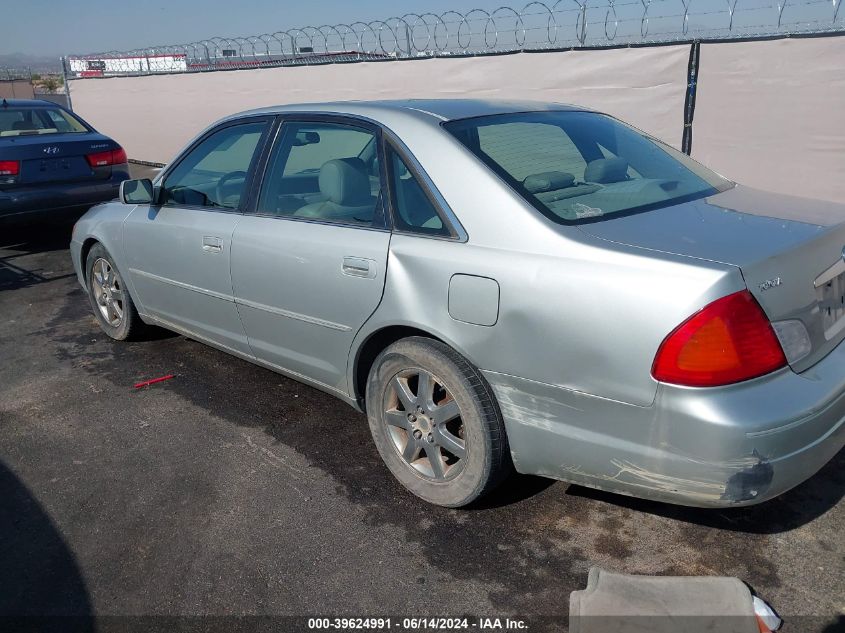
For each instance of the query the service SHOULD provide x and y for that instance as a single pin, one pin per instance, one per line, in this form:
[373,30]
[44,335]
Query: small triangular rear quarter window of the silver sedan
[413,209]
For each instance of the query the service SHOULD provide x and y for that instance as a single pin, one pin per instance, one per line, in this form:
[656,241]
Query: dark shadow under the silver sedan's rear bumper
[789,511]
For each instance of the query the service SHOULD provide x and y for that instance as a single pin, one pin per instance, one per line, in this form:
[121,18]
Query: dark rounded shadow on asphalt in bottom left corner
[40,580]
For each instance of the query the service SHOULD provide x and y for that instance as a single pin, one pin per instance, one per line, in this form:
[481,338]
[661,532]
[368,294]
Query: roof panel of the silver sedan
[439,109]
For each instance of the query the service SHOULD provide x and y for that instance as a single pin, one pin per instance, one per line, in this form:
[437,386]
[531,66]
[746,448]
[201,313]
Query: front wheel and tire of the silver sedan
[109,297]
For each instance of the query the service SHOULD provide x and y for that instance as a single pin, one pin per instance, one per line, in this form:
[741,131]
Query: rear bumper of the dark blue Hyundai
[56,199]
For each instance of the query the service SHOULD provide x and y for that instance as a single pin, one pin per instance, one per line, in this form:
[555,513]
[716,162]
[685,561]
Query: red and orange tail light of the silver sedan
[728,341]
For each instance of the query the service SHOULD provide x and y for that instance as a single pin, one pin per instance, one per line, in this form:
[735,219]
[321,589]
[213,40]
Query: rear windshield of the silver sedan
[583,166]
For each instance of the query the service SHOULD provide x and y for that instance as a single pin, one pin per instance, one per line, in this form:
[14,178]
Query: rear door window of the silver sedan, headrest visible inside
[323,171]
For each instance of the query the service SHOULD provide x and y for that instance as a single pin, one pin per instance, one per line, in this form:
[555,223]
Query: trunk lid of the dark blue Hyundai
[56,157]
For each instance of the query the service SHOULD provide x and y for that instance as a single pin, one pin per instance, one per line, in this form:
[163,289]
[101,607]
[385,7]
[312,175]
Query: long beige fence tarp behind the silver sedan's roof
[154,116]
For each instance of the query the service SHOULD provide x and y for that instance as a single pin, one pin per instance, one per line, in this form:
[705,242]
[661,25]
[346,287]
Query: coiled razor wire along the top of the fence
[536,26]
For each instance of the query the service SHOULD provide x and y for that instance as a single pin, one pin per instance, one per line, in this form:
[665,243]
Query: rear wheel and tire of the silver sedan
[415,389]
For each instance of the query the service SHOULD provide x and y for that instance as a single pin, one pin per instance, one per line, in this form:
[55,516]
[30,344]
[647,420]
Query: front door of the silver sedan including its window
[179,249]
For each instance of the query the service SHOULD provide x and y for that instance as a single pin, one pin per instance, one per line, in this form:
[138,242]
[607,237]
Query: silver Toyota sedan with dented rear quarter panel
[498,285]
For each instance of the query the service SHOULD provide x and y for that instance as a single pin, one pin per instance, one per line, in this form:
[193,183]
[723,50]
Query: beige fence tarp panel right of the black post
[771,114]
